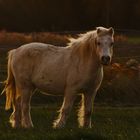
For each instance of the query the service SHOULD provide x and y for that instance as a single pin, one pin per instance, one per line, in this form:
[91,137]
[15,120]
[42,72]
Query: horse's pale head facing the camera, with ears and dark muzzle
[104,44]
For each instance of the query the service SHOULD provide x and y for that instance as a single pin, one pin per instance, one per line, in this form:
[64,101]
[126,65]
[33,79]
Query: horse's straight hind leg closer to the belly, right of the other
[26,94]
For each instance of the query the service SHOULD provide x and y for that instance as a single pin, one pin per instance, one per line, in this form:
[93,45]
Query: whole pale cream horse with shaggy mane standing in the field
[76,69]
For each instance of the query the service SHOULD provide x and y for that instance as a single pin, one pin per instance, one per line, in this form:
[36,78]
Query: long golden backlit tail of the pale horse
[10,88]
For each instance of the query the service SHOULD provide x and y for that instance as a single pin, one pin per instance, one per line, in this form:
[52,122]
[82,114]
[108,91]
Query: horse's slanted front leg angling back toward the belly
[65,109]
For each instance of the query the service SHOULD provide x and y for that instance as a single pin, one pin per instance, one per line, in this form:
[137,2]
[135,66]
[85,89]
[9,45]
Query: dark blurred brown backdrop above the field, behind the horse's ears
[68,15]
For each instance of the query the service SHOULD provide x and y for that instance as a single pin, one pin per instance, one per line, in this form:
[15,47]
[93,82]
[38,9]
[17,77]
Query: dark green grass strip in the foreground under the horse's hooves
[109,124]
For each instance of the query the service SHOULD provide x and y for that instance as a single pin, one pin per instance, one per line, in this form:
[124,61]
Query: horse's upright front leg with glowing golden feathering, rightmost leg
[85,111]
